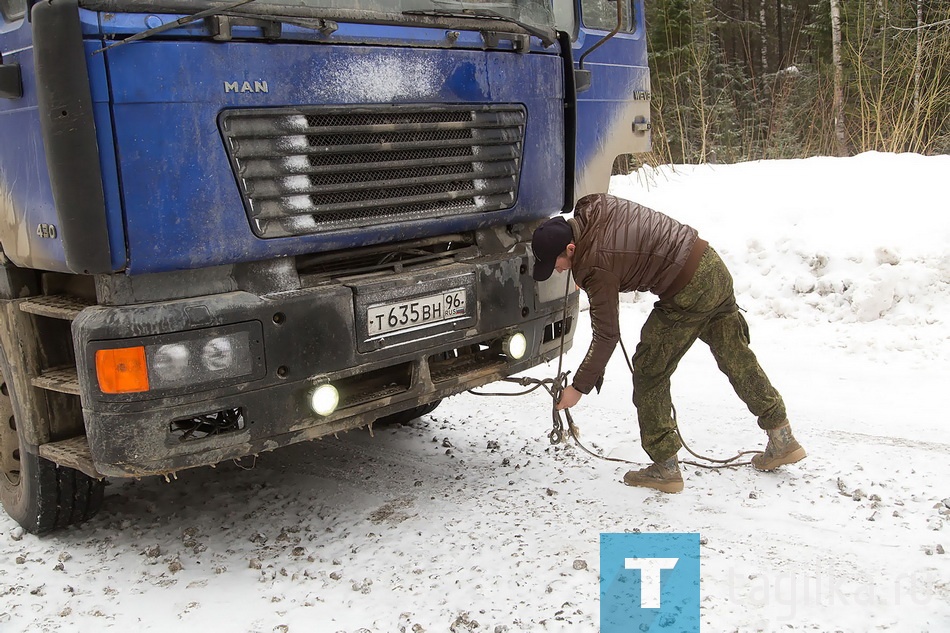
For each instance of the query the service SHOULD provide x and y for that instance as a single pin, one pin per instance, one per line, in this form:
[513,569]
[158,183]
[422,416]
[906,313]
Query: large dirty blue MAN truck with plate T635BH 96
[227,227]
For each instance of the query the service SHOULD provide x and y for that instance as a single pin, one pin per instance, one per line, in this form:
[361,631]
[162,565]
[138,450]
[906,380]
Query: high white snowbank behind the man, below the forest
[854,240]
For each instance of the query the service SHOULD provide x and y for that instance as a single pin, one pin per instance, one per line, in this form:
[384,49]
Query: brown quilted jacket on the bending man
[622,246]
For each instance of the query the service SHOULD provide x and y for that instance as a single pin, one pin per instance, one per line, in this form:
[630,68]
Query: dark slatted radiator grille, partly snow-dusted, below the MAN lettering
[321,169]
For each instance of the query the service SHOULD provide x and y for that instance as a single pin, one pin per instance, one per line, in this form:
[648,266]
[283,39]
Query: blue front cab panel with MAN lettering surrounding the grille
[182,200]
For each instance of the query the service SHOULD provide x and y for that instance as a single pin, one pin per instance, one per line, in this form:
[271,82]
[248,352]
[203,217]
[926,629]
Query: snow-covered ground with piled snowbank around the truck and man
[468,520]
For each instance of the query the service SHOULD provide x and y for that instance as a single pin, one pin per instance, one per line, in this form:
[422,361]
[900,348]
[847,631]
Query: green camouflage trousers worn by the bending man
[704,309]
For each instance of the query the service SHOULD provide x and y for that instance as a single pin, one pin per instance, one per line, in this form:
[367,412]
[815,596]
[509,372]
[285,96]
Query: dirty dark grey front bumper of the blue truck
[308,337]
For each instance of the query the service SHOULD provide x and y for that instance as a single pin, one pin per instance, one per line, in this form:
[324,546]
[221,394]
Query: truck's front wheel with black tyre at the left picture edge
[35,492]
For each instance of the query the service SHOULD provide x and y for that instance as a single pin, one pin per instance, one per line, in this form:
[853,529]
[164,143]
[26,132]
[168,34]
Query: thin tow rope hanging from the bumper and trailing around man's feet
[555,386]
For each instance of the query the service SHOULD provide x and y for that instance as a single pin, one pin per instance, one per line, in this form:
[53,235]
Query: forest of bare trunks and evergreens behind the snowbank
[737,80]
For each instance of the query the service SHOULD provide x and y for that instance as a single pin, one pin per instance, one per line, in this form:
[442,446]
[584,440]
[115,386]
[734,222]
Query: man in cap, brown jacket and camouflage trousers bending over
[614,245]
